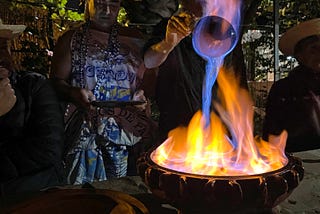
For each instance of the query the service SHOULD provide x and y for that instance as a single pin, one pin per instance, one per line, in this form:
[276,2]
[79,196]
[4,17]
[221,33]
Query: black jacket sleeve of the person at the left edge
[42,142]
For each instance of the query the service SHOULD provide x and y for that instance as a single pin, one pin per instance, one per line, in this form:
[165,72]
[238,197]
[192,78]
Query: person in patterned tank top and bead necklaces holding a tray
[101,61]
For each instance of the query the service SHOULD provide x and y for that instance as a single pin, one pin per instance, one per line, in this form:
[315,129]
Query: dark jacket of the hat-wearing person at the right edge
[292,105]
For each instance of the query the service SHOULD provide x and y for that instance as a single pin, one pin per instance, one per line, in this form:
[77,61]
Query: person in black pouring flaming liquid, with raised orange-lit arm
[181,69]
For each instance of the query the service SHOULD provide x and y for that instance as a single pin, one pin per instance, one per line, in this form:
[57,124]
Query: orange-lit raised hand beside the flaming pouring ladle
[179,27]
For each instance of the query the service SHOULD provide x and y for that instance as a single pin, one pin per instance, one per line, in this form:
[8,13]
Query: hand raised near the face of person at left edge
[7,96]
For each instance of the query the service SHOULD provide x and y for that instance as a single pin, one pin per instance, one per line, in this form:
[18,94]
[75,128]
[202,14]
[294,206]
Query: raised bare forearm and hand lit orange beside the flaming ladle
[178,27]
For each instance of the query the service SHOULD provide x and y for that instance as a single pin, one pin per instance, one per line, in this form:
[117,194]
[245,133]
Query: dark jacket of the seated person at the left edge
[31,138]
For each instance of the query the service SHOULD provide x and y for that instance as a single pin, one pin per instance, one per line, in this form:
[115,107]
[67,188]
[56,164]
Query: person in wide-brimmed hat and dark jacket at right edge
[294,102]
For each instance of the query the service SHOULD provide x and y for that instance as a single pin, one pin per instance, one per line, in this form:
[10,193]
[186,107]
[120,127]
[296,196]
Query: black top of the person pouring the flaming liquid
[179,86]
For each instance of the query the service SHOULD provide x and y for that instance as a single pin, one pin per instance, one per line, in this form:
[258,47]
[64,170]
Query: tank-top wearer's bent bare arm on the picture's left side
[61,71]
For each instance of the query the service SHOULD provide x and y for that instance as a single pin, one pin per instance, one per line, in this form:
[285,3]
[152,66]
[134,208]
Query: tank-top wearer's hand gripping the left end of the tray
[82,97]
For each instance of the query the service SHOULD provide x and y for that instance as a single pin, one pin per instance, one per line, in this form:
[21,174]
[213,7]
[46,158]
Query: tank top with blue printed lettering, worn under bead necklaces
[111,72]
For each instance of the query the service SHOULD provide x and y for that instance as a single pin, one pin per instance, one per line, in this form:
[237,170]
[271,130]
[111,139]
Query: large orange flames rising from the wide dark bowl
[227,146]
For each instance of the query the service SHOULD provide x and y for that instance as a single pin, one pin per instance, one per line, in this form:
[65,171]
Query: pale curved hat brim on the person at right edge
[303,30]
